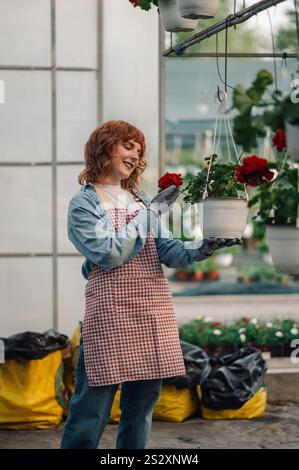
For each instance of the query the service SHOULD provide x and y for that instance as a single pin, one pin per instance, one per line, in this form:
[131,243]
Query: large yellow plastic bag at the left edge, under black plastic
[32,392]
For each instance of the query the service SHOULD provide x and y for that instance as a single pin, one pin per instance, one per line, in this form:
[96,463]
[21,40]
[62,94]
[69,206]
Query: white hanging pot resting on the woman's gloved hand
[223,217]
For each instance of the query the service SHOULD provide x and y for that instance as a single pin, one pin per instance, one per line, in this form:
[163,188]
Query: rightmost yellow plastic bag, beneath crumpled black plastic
[253,408]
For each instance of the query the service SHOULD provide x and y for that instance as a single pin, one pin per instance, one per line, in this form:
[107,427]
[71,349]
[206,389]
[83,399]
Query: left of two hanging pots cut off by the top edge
[171,18]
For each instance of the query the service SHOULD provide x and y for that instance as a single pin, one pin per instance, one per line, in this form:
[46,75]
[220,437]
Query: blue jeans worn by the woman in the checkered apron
[90,407]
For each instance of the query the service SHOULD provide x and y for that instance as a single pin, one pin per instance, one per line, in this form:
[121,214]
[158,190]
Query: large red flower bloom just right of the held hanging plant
[254,171]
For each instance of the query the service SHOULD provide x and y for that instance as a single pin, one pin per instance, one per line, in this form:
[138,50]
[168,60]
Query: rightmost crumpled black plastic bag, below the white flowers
[234,379]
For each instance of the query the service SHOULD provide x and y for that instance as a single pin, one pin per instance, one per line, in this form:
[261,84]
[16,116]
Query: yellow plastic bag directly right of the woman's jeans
[175,404]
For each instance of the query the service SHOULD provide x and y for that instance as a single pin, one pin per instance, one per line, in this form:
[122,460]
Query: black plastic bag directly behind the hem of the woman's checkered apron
[197,364]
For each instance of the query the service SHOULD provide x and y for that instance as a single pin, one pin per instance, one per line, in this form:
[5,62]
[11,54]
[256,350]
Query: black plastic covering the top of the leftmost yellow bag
[31,345]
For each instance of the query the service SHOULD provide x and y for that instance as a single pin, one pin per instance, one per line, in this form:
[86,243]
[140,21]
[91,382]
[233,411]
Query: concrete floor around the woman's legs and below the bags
[278,429]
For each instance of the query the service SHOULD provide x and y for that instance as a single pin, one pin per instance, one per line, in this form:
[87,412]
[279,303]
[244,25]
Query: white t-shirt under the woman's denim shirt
[119,197]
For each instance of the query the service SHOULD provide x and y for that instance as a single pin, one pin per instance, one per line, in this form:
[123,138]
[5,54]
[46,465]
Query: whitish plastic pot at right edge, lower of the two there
[284,247]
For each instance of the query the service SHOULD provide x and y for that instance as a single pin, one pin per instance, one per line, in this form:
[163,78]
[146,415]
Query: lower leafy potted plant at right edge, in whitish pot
[277,202]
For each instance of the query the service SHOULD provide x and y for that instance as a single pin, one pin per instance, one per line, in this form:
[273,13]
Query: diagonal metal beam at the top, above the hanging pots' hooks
[231,20]
